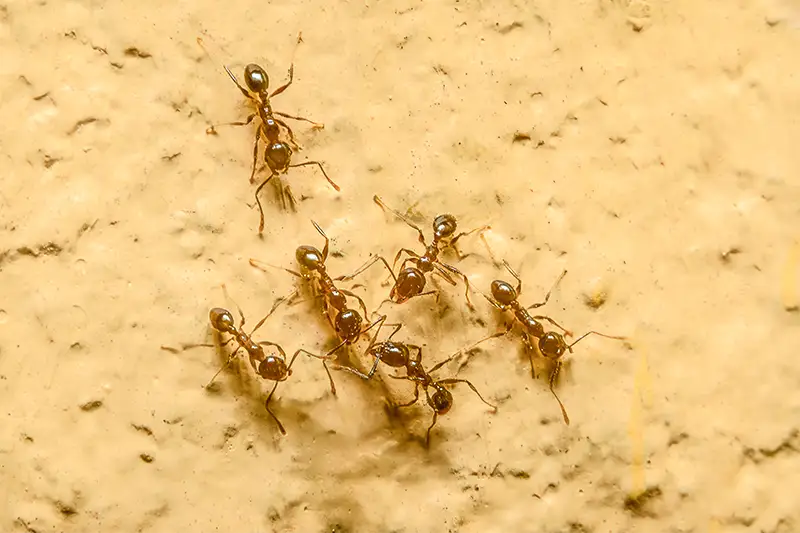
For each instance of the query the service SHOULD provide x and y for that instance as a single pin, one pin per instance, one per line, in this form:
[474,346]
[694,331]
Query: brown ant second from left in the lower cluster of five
[346,321]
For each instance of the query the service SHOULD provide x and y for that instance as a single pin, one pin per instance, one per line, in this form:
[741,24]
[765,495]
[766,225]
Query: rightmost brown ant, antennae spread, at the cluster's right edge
[551,344]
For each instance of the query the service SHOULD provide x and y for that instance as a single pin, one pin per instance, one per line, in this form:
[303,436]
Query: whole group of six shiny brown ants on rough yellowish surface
[409,282]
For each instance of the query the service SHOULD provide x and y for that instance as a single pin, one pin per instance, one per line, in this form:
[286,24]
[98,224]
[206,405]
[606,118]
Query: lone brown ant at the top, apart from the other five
[277,154]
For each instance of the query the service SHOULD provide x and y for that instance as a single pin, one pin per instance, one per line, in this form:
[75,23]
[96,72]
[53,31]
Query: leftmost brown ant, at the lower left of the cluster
[270,367]
